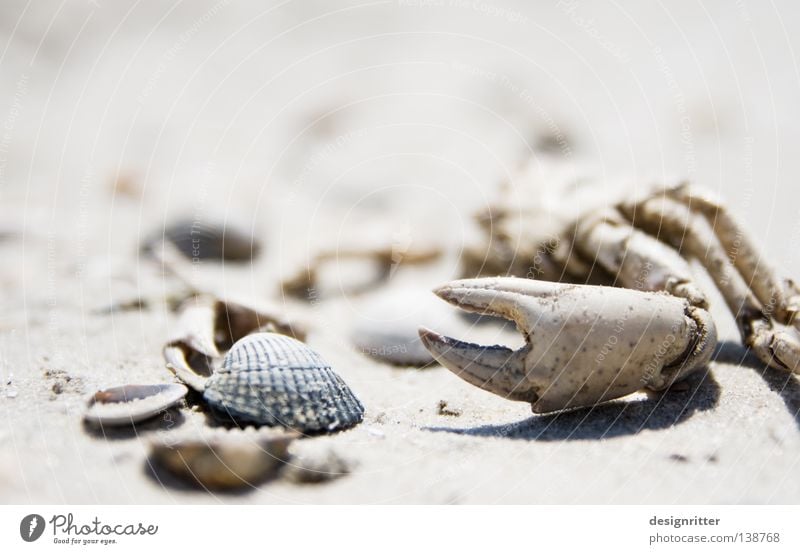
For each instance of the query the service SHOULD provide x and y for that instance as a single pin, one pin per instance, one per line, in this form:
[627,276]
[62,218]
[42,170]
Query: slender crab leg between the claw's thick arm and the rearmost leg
[692,234]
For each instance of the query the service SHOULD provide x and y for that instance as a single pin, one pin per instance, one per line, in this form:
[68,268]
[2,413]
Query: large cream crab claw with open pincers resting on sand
[584,344]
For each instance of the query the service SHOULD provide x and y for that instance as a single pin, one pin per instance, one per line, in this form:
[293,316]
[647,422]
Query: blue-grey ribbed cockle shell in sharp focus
[275,380]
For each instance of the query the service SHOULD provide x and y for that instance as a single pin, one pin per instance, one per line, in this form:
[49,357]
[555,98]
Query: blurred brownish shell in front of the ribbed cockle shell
[224,462]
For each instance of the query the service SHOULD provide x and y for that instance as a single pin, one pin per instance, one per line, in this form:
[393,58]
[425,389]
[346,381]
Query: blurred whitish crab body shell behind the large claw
[529,226]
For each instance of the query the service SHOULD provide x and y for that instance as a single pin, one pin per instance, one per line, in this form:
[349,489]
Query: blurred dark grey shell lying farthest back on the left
[201,240]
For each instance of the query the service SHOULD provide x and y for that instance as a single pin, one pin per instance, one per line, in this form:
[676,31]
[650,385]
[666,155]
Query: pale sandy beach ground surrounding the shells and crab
[314,123]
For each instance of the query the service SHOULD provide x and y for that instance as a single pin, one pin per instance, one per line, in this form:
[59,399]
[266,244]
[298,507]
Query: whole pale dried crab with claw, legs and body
[583,347]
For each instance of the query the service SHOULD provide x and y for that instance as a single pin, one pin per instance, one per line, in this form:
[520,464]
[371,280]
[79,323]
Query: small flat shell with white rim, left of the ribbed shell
[132,403]
